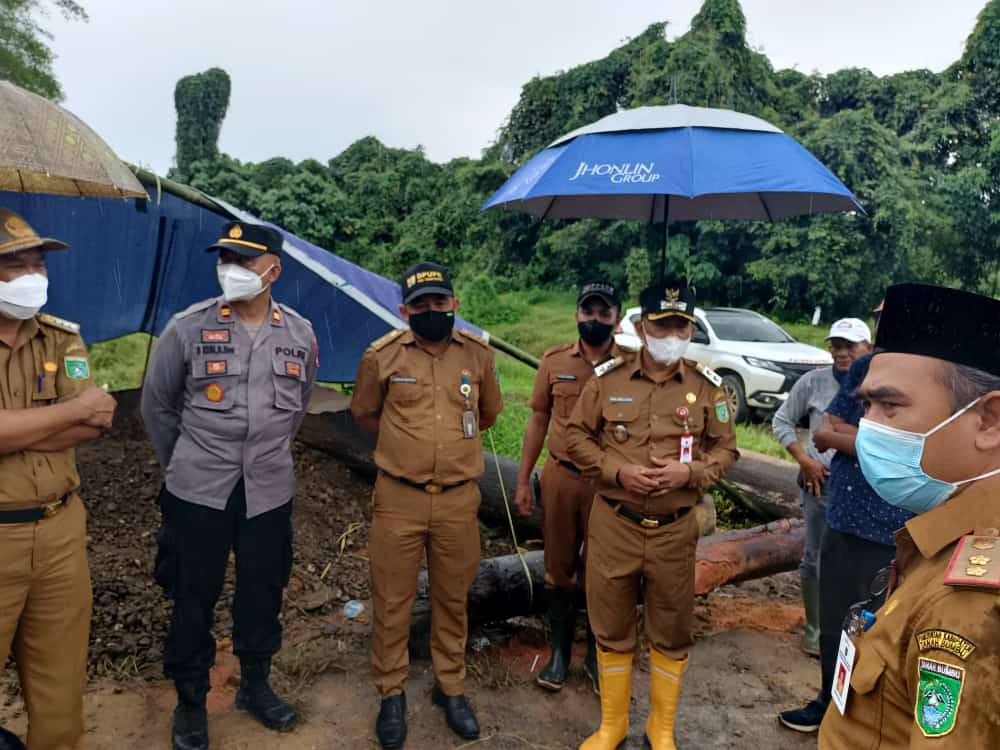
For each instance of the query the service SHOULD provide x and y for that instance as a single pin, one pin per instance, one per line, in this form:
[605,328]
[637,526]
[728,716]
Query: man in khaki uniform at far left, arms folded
[48,406]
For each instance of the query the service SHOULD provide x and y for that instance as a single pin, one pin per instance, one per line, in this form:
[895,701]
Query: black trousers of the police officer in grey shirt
[193,551]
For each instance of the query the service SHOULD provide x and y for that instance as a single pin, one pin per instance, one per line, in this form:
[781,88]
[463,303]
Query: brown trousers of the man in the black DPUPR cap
[406,523]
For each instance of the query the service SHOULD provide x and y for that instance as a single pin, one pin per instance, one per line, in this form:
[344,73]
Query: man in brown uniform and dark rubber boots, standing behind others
[566,496]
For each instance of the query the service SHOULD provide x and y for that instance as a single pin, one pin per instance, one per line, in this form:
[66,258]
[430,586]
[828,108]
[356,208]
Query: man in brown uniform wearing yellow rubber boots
[654,430]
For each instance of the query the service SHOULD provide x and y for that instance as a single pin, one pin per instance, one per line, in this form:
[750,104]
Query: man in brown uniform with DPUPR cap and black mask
[428,391]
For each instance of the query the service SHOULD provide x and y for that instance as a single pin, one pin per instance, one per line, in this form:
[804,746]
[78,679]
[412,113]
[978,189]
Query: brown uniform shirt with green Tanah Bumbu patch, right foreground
[927,673]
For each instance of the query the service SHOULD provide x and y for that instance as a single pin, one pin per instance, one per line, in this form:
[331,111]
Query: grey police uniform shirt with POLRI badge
[220,406]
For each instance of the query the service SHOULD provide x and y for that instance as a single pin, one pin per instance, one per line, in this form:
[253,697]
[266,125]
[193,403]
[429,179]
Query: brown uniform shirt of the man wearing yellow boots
[624,417]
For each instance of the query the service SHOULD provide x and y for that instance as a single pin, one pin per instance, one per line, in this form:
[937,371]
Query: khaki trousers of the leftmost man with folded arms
[45,604]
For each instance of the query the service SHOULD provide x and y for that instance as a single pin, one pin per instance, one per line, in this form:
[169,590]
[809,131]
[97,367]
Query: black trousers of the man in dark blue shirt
[847,566]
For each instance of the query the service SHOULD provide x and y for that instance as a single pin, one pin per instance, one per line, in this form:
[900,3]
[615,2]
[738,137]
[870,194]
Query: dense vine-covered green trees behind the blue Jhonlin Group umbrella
[921,149]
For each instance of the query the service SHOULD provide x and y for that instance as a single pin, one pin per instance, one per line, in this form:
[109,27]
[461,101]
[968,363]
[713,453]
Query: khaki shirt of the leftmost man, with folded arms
[31,478]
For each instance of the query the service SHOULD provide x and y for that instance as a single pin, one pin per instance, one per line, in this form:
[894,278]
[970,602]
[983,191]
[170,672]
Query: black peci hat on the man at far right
[948,324]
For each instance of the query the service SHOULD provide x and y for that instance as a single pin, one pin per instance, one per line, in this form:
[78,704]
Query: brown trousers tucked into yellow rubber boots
[624,559]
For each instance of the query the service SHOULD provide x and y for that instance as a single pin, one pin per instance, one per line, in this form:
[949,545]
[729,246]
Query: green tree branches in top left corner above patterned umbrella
[25,55]
